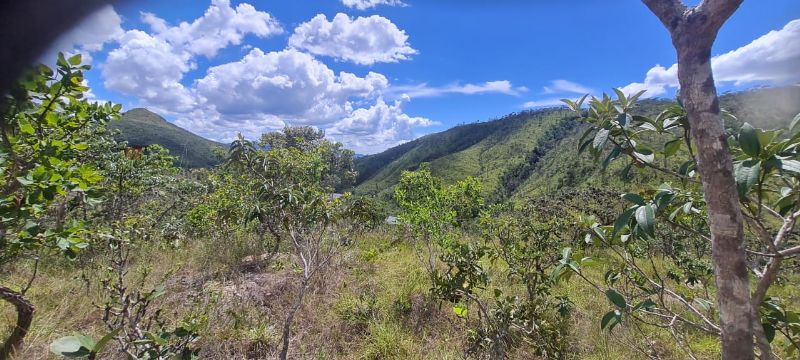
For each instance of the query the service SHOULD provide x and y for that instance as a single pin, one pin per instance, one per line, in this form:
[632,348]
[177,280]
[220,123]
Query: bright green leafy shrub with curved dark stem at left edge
[45,136]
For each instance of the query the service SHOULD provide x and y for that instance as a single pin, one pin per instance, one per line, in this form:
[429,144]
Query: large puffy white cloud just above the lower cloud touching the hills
[289,84]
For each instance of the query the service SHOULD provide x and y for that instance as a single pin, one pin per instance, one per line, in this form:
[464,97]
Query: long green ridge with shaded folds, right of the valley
[535,152]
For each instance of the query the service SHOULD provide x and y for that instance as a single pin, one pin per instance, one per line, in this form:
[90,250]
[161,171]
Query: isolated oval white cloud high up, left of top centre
[361,40]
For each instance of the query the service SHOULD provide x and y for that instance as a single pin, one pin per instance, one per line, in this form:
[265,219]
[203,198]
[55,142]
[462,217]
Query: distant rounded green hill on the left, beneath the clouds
[141,127]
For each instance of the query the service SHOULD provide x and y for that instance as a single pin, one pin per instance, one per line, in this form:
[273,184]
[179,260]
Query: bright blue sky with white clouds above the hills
[376,73]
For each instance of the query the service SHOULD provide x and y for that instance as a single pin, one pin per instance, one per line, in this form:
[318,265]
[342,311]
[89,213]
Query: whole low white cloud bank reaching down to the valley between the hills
[266,91]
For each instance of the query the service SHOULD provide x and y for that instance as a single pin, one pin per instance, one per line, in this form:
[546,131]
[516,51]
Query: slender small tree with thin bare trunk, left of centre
[292,201]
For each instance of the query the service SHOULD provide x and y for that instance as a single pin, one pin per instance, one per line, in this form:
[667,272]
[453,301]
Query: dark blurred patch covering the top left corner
[28,27]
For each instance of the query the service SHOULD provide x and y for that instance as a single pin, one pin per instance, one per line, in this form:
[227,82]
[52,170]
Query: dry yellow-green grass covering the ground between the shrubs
[373,303]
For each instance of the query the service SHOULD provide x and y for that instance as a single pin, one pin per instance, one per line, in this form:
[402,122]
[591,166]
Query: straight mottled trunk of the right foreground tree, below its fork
[699,97]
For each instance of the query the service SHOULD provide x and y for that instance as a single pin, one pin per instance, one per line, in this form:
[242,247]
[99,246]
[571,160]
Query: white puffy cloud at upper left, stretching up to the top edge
[151,66]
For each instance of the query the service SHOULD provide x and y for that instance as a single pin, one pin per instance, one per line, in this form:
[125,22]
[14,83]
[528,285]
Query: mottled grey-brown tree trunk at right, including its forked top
[693,31]
